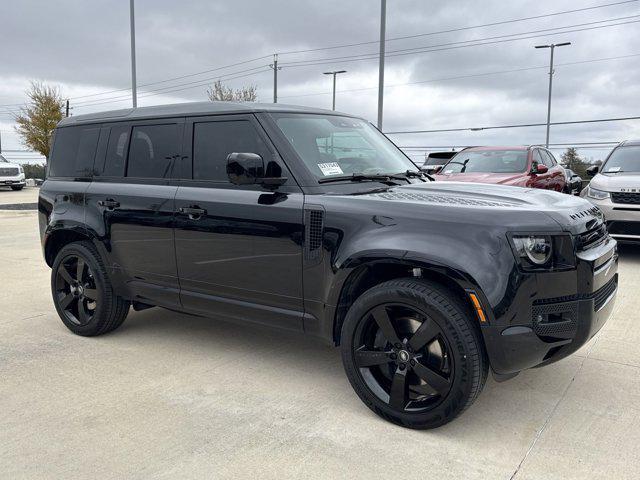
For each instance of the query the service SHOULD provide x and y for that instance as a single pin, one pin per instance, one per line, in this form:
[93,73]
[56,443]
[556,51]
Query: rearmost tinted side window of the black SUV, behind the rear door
[73,152]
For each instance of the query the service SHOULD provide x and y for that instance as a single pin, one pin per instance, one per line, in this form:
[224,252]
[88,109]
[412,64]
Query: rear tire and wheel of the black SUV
[82,292]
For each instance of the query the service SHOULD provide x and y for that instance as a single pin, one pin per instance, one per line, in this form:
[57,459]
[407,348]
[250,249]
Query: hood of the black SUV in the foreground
[480,203]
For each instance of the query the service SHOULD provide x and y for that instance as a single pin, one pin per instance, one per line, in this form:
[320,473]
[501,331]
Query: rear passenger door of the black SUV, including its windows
[131,206]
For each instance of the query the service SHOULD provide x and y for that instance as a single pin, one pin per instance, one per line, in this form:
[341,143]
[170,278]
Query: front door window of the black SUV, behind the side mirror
[213,141]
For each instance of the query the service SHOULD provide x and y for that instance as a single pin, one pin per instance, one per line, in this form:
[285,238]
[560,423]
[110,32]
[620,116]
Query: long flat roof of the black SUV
[188,109]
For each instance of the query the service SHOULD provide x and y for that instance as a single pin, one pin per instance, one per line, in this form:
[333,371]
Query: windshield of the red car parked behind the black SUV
[488,161]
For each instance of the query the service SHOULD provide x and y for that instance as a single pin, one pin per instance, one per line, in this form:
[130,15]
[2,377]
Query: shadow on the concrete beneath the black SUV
[526,398]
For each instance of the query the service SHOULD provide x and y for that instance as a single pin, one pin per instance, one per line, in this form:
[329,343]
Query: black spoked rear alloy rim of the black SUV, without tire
[75,290]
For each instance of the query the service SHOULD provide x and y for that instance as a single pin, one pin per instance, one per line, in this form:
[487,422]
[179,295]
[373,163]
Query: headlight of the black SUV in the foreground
[542,252]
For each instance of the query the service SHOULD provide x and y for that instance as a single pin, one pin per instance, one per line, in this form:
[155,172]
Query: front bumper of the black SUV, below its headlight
[558,326]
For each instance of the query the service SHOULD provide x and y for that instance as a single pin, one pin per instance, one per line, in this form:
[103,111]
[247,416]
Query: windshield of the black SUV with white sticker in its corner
[336,146]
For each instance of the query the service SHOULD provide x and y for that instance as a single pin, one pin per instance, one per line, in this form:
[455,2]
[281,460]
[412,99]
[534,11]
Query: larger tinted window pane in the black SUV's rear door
[152,150]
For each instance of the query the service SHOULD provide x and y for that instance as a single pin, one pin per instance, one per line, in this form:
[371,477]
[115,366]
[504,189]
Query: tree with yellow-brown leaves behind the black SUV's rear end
[37,120]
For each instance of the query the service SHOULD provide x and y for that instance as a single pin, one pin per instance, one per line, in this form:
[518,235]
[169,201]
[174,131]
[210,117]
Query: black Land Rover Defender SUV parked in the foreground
[315,222]
